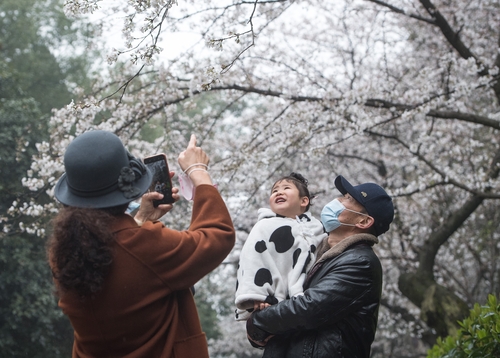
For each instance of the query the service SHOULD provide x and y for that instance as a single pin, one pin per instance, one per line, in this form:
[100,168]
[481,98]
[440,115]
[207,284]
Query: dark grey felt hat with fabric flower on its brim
[101,173]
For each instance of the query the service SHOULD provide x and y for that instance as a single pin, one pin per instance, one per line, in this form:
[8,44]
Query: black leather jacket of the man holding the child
[337,315]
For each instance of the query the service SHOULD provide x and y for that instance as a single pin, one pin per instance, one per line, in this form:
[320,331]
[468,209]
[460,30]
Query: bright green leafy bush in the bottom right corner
[478,336]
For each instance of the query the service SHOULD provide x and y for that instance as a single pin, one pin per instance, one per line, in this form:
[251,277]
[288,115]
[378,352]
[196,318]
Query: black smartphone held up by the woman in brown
[161,178]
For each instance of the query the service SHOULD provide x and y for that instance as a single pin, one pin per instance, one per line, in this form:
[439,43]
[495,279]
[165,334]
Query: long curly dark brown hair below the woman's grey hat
[79,248]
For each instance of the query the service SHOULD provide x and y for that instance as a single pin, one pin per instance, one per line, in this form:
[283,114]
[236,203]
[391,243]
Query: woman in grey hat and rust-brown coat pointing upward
[125,282]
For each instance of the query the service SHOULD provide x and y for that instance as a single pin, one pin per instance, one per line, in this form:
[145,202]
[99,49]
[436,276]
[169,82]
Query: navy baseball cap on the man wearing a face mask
[377,203]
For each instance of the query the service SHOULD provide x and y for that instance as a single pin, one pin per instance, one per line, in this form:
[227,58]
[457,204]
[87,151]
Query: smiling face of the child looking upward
[285,200]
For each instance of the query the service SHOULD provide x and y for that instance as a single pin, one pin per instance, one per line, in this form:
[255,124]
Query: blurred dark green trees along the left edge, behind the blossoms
[33,80]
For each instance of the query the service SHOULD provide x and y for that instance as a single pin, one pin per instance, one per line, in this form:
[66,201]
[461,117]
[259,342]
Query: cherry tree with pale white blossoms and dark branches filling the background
[401,93]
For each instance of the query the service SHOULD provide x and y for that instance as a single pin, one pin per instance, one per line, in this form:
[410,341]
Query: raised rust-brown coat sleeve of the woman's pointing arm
[181,258]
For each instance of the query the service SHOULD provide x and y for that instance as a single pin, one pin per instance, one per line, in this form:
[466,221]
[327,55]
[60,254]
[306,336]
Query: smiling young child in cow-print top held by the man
[279,249]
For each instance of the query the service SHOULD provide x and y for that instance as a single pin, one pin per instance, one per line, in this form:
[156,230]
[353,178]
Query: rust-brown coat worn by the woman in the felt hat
[145,308]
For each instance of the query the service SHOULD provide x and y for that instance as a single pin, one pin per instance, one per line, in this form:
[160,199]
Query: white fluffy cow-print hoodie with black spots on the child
[275,259]
